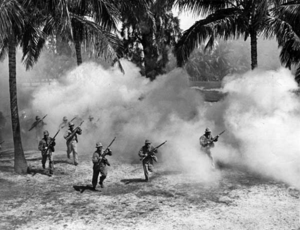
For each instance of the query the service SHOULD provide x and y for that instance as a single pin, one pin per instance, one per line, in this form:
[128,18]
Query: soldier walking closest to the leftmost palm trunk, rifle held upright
[46,146]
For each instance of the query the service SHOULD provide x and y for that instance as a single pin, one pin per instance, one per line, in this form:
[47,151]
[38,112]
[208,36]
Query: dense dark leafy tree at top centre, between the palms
[148,39]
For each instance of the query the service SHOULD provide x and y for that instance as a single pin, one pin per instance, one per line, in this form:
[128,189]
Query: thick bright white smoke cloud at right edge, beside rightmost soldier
[261,116]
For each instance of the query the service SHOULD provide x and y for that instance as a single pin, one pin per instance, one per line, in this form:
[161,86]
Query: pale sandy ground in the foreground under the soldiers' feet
[171,200]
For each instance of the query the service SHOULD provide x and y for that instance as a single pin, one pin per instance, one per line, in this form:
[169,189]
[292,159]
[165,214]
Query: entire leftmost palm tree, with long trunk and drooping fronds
[16,28]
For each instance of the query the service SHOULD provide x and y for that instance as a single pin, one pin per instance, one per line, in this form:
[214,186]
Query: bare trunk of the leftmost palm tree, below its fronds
[20,164]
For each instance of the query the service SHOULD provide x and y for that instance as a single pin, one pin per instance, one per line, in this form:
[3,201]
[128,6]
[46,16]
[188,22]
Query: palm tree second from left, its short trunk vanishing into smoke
[88,22]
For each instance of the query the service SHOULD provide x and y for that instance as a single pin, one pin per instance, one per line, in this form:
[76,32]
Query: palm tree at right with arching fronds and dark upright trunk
[226,19]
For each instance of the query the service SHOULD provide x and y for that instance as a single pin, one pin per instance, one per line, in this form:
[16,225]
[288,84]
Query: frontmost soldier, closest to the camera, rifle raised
[100,163]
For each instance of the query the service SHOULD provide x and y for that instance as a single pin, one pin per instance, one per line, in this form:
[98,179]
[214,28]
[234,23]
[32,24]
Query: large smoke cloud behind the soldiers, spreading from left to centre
[133,109]
